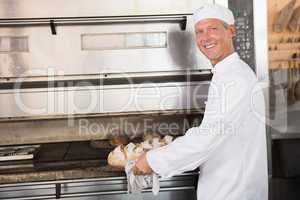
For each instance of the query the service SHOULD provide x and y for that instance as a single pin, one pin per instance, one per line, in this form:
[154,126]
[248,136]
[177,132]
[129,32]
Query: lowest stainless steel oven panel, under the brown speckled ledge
[176,188]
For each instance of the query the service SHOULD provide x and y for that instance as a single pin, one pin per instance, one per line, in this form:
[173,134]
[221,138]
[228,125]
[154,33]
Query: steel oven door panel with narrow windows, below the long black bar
[64,53]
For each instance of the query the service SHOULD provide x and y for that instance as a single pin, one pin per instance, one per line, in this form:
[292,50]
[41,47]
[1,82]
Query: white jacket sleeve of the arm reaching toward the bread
[226,106]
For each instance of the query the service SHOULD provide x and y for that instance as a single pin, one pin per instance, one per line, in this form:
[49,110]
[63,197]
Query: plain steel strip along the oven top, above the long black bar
[82,8]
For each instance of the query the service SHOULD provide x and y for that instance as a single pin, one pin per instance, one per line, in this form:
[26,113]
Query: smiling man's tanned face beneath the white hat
[214,40]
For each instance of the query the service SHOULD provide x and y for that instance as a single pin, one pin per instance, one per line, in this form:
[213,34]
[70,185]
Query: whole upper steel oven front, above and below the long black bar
[63,53]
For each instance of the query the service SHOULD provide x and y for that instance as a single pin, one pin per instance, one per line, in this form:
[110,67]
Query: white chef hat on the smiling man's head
[214,11]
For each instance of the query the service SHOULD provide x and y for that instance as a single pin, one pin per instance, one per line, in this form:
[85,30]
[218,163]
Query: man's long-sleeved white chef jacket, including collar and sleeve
[230,144]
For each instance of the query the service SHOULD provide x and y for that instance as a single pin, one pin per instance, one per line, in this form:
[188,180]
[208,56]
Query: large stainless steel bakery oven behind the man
[72,73]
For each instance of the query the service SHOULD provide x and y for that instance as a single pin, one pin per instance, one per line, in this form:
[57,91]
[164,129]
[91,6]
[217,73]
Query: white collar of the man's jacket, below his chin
[225,64]
